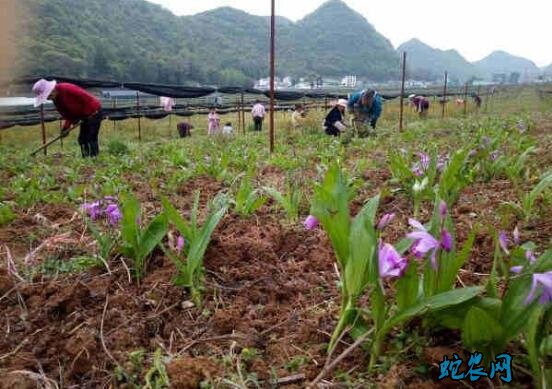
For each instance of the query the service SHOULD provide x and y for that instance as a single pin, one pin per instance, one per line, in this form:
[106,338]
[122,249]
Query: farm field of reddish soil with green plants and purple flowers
[187,261]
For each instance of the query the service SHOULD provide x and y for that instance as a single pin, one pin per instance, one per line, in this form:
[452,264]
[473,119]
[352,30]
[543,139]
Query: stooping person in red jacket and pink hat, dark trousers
[74,104]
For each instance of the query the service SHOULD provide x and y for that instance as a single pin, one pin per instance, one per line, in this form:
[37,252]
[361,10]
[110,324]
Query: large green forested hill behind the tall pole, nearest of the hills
[139,41]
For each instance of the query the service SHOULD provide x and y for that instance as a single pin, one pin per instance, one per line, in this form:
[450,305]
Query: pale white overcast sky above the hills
[473,27]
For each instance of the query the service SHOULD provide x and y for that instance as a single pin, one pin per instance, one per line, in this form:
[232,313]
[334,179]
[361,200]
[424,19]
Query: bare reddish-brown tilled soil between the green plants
[270,286]
